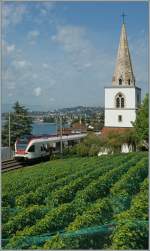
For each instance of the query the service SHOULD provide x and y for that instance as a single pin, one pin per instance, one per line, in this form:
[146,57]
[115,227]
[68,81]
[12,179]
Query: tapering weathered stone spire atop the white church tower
[123,75]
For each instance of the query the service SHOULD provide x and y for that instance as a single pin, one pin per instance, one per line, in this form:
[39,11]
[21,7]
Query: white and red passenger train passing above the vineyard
[30,148]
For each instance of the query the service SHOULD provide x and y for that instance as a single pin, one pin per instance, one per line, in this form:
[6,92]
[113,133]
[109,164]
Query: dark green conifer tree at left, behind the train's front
[20,125]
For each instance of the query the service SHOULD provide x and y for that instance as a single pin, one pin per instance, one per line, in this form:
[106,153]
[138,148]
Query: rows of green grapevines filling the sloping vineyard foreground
[72,198]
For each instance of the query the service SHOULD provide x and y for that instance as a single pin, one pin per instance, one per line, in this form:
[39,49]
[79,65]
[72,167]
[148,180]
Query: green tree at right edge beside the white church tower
[141,124]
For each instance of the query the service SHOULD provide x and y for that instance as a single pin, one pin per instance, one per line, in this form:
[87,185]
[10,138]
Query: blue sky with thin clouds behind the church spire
[62,54]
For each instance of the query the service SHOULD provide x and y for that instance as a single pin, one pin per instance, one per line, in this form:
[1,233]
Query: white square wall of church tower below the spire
[128,112]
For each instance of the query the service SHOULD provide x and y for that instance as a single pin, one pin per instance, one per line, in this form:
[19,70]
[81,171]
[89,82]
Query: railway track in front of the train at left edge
[11,164]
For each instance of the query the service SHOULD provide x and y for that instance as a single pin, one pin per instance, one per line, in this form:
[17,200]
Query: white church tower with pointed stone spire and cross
[123,98]
